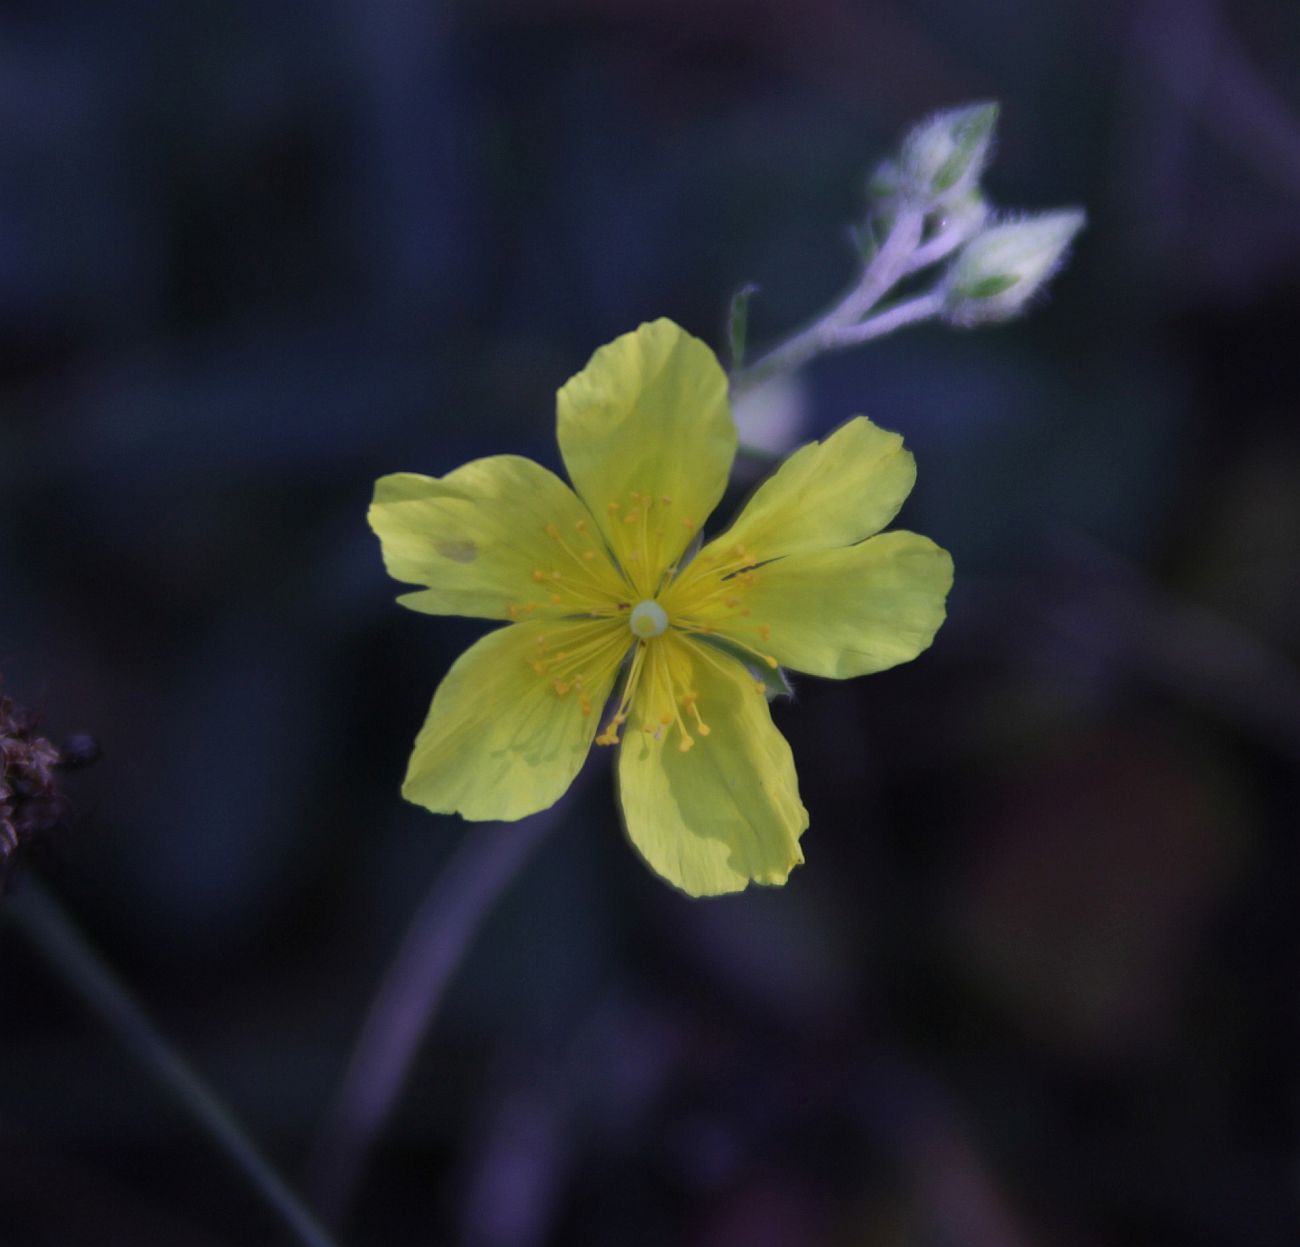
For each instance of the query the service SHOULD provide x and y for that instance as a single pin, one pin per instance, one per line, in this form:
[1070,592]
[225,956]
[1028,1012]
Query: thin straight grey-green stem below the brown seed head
[67,950]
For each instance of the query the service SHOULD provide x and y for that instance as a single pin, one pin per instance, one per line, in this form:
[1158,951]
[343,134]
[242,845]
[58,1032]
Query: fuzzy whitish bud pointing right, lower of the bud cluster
[1002,269]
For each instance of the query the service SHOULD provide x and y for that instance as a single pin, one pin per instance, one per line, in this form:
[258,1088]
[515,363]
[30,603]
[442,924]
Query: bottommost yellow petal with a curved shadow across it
[726,813]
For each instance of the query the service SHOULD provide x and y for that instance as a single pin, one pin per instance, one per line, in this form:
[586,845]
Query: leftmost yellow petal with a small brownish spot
[478,536]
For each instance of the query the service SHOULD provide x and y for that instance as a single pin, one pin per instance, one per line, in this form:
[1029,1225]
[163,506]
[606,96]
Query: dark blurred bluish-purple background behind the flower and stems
[1037,985]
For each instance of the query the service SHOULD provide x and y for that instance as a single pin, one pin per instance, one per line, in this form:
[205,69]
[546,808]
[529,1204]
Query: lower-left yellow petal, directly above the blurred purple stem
[501,742]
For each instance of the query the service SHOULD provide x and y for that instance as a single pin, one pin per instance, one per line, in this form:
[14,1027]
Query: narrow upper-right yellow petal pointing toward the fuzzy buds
[827,495]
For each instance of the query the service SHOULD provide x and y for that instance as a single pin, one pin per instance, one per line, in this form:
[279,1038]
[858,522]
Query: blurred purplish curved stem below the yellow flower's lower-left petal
[436,942]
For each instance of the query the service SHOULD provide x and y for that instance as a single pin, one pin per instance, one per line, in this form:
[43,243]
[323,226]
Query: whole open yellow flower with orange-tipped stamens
[600,582]
